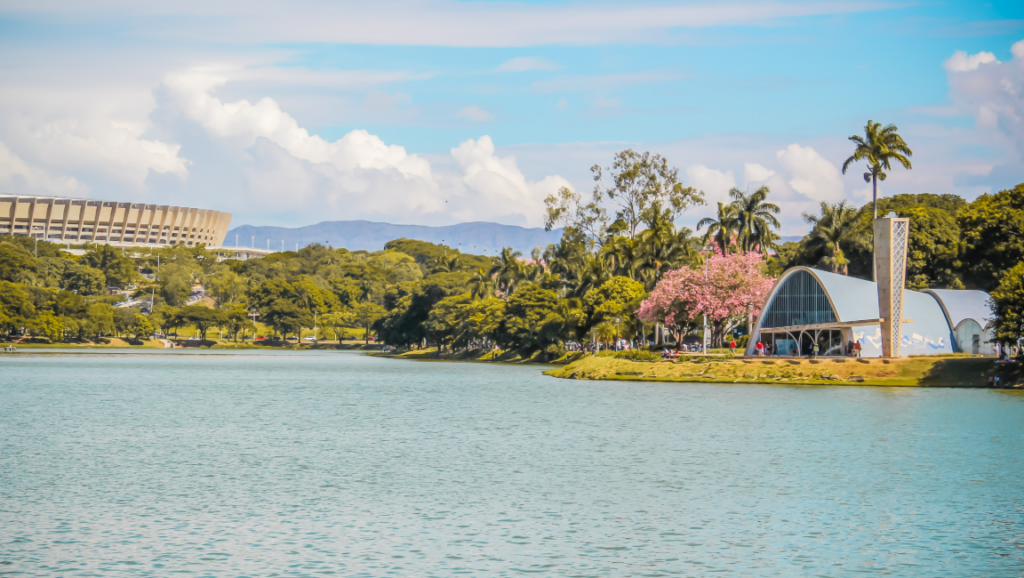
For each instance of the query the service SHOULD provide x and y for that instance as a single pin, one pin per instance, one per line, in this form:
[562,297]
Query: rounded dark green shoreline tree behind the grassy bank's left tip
[532,321]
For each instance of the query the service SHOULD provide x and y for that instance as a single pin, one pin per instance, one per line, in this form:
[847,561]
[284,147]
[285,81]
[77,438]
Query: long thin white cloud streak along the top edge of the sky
[438,23]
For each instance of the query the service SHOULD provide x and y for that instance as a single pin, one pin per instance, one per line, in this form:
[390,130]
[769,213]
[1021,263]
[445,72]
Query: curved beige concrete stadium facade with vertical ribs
[134,225]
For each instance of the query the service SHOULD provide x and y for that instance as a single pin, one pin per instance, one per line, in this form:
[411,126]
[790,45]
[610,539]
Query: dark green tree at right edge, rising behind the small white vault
[993,230]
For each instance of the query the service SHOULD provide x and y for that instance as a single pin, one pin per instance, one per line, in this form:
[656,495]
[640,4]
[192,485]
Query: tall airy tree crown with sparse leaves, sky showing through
[638,182]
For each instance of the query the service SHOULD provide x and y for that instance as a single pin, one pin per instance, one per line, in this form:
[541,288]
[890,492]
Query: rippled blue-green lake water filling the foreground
[337,464]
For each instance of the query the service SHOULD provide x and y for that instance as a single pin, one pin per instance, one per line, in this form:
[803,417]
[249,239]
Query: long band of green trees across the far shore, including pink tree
[620,252]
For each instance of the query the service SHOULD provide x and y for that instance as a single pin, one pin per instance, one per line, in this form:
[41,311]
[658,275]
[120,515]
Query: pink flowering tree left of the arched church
[736,291]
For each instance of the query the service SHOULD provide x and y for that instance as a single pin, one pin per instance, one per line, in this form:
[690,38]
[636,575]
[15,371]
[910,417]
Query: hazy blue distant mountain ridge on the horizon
[364,235]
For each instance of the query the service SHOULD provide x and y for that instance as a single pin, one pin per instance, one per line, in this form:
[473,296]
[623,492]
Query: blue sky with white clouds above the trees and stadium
[440,112]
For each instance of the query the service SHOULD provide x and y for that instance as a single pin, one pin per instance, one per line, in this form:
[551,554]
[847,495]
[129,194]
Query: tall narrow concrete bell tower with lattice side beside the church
[891,234]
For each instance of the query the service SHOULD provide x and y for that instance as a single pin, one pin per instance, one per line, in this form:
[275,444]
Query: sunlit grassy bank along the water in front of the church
[917,373]
